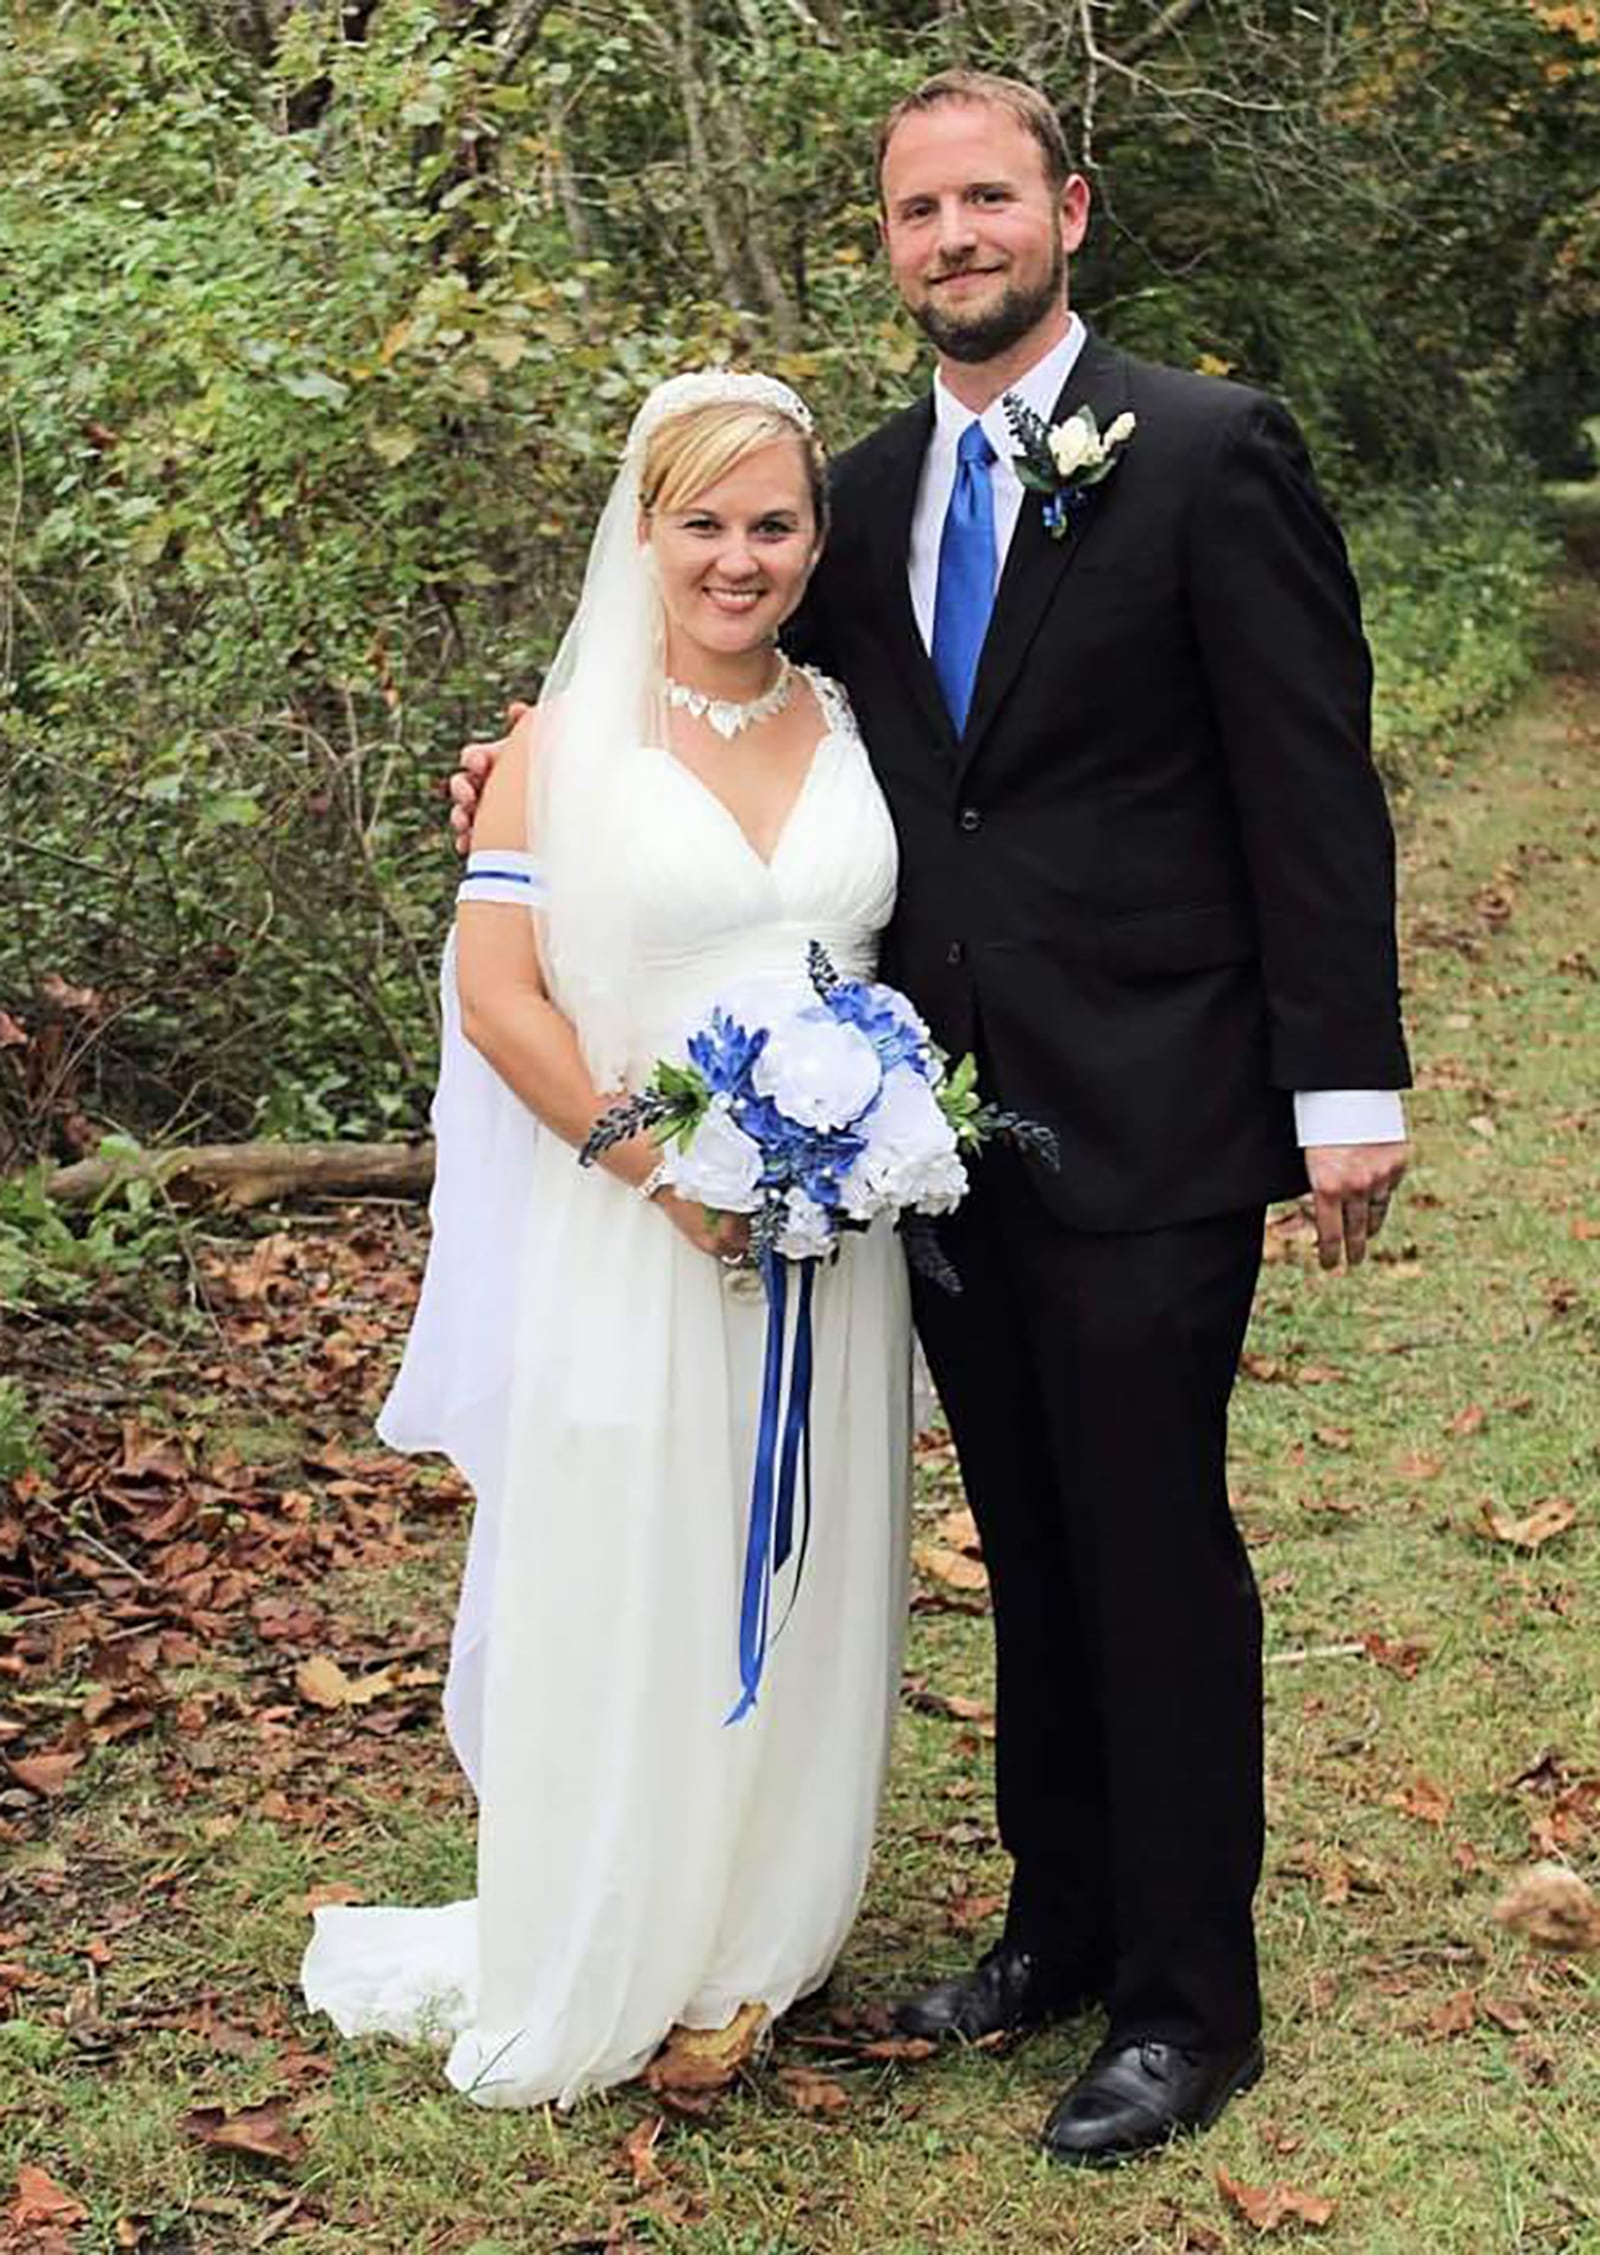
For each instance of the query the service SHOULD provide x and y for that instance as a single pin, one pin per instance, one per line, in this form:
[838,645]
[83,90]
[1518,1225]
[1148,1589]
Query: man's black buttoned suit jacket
[1155,876]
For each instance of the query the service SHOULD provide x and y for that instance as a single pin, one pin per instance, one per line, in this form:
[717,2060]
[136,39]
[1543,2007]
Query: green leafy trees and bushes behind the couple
[321,330]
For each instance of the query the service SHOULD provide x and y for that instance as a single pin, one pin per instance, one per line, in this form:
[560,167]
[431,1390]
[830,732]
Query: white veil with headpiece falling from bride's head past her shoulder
[603,698]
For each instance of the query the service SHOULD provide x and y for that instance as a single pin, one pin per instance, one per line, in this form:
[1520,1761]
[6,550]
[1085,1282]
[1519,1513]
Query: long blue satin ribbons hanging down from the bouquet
[783,1465]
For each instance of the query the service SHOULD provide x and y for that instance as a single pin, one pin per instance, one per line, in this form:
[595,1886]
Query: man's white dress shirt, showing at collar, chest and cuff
[1319,1115]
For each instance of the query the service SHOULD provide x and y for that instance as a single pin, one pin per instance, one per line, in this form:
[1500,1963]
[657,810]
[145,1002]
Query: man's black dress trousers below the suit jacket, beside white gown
[1087,1386]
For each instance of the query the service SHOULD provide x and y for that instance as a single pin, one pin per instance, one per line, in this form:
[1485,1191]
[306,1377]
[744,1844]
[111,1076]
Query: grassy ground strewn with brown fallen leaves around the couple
[1434,1724]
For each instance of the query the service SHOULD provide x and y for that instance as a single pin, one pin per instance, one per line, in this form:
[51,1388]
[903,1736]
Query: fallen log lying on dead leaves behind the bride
[256,1174]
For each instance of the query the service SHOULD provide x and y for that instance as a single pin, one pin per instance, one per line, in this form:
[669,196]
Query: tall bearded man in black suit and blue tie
[1148,878]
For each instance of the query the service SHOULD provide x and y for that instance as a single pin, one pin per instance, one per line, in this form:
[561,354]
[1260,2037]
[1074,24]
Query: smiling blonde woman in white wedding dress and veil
[677,820]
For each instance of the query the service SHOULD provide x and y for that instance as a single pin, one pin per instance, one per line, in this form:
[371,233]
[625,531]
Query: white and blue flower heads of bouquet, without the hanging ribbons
[830,1113]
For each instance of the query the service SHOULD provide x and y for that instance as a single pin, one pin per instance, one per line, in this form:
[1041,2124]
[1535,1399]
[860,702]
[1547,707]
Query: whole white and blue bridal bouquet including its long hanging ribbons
[812,1117]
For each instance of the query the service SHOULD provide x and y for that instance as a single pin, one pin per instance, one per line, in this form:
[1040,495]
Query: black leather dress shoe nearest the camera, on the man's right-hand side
[1137,2096]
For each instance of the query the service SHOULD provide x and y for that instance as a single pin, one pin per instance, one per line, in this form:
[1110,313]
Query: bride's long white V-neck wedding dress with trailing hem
[639,1859]
